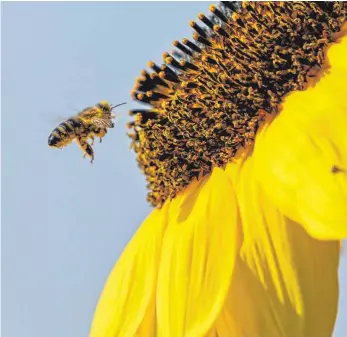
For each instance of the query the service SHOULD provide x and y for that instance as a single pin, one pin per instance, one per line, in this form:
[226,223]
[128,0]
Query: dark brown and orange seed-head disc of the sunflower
[208,103]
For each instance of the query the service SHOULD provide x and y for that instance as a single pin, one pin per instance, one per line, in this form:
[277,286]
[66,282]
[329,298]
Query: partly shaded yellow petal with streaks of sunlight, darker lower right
[285,282]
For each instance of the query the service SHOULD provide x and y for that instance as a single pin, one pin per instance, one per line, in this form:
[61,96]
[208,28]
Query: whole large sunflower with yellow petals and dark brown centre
[244,147]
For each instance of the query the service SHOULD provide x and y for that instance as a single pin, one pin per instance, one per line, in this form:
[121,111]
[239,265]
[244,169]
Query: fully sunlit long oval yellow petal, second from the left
[198,255]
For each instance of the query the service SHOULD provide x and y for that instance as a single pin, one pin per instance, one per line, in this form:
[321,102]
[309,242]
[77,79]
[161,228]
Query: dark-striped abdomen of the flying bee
[65,133]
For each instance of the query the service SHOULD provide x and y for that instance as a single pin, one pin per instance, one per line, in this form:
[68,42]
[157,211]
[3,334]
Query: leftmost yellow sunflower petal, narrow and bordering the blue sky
[127,303]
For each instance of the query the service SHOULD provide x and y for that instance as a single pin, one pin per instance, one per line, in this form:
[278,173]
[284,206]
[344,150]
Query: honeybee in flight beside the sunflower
[89,123]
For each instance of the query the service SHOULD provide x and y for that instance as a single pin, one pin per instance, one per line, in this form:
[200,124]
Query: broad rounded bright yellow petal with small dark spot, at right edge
[296,157]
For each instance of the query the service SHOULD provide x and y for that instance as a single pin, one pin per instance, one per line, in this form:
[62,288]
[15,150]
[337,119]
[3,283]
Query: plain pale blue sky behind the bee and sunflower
[64,221]
